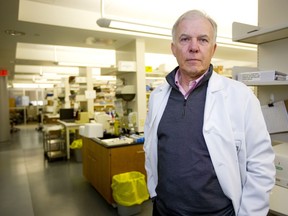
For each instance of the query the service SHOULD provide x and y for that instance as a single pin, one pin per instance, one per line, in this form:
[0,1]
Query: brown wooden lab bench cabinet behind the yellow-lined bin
[100,164]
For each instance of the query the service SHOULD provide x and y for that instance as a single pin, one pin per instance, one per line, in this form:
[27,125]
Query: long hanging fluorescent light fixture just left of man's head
[130,26]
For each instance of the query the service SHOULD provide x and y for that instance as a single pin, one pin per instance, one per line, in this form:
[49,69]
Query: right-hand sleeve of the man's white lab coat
[257,162]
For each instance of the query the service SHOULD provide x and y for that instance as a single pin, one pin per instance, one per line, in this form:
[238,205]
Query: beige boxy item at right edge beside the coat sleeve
[281,164]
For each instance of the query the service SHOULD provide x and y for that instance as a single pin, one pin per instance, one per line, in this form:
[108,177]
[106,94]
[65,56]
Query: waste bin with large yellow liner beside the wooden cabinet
[129,192]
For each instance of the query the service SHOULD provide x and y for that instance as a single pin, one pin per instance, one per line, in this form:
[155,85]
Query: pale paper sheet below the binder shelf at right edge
[276,117]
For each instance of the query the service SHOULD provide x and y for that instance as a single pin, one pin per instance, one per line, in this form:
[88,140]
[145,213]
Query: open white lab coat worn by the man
[237,139]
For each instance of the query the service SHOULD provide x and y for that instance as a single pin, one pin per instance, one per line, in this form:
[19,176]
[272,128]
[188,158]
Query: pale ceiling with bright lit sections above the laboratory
[52,27]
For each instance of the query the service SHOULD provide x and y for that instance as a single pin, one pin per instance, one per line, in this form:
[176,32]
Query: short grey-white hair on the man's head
[190,14]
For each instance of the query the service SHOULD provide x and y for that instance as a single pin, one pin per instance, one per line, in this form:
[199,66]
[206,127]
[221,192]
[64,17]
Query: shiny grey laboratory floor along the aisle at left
[32,186]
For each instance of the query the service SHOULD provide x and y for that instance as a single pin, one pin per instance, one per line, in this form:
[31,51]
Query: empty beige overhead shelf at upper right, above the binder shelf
[257,35]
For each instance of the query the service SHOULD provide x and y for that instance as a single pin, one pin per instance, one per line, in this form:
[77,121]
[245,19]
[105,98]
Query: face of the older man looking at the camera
[194,46]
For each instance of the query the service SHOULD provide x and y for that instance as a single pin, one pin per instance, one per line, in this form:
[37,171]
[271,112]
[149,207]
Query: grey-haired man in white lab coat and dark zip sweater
[207,148]
